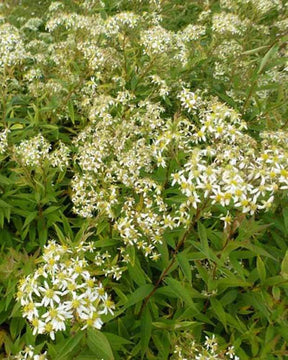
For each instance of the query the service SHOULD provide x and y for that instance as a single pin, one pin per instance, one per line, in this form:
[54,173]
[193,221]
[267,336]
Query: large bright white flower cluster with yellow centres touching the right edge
[231,169]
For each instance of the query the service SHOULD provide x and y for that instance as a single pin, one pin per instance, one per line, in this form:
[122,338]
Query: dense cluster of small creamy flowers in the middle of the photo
[111,154]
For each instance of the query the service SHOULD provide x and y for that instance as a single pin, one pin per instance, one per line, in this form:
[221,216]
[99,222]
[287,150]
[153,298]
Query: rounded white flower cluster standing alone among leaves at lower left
[62,292]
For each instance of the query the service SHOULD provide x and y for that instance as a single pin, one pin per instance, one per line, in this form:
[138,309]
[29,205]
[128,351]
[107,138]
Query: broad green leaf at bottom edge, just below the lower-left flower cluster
[99,345]
